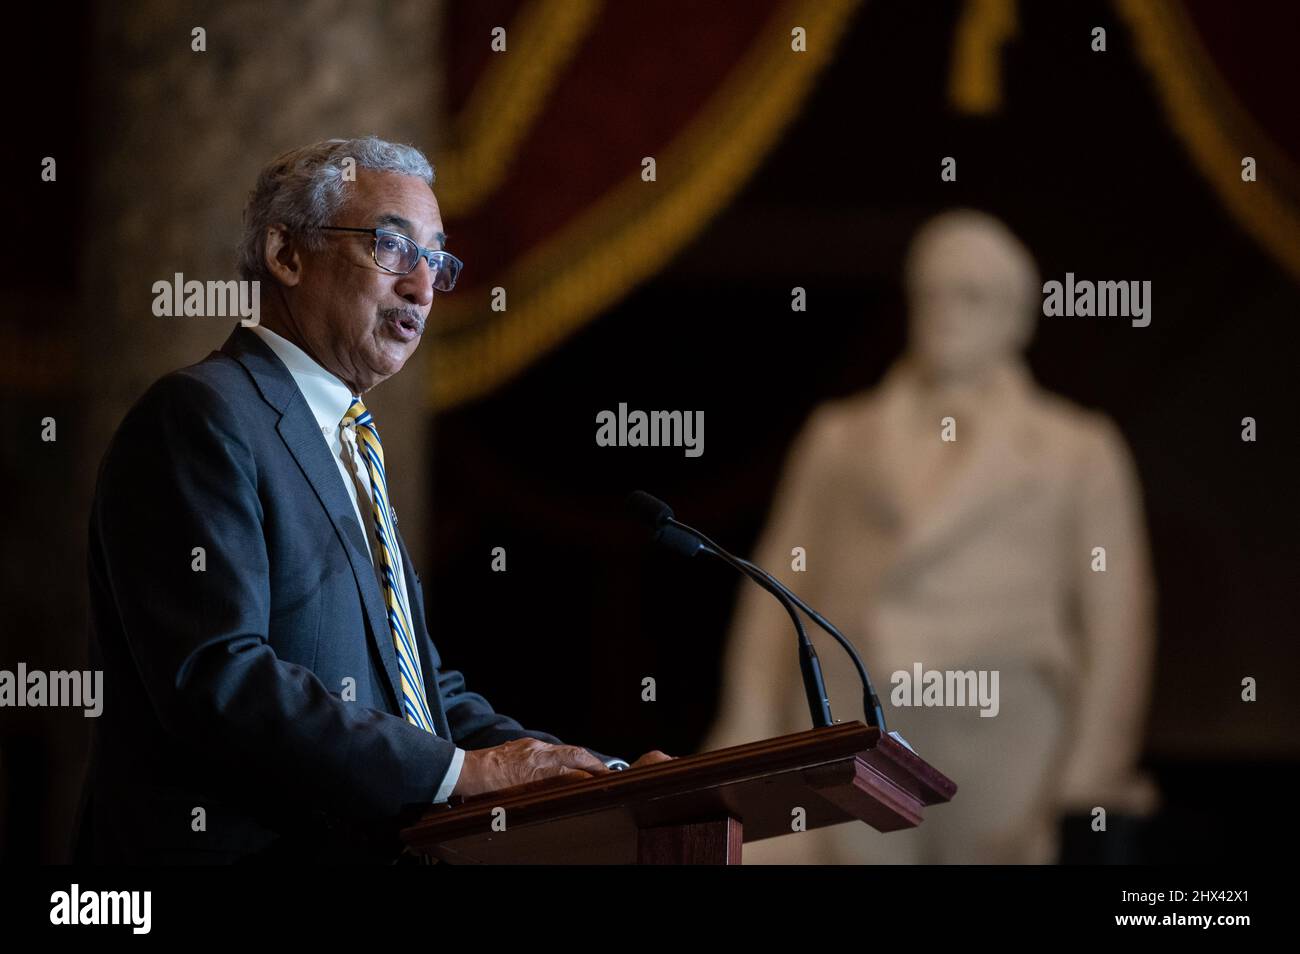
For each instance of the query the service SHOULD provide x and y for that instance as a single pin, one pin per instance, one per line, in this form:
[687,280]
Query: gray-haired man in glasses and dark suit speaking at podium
[271,687]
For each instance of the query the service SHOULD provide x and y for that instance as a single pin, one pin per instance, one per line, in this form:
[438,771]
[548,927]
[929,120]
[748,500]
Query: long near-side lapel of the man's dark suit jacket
[304,440]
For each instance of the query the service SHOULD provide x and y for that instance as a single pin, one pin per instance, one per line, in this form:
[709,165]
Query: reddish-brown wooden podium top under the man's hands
[695,810]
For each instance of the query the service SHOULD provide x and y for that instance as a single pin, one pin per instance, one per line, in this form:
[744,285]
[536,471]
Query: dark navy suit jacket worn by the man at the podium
[226,686]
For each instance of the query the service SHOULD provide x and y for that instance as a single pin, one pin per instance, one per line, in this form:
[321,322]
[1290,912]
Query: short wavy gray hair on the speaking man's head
[305,189]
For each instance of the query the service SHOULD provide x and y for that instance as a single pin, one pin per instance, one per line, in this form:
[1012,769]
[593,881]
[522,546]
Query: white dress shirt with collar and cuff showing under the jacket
[330,400]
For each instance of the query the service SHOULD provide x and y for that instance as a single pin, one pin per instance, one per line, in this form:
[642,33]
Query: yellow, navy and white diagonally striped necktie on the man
[414,703]
